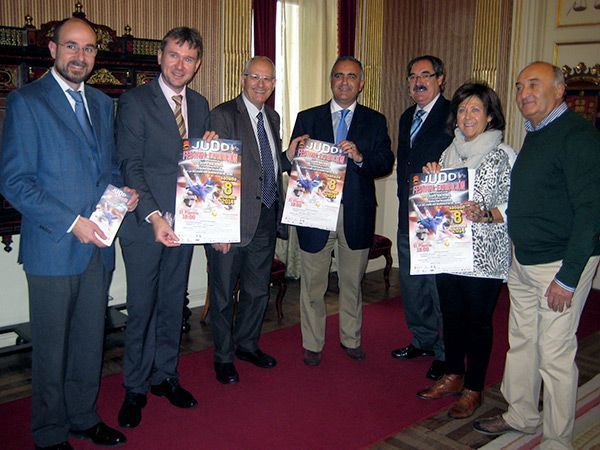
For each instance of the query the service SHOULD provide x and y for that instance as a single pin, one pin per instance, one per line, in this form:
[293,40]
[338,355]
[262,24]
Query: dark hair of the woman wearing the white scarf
[489,98]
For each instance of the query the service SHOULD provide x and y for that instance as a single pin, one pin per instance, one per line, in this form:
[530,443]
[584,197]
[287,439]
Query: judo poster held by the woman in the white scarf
[440,235]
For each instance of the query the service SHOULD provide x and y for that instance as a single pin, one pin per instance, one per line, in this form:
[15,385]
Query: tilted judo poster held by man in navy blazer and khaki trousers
[315,186]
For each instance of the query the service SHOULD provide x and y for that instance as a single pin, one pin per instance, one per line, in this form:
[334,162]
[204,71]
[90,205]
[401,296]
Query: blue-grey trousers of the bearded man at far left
[67,316]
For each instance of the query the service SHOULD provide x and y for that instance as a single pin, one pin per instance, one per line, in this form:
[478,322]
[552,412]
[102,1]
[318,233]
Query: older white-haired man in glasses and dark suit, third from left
[249,119]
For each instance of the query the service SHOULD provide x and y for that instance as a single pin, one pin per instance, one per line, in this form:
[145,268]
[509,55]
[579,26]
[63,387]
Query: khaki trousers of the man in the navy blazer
[314,277]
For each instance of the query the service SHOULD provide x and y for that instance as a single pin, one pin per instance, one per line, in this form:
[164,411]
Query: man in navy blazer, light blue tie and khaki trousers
[362,133]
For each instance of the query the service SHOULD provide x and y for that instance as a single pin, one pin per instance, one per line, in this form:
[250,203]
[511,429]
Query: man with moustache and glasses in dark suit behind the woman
[422,138]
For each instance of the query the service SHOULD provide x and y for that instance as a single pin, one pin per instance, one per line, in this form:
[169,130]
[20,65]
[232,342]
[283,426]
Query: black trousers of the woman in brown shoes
[467,305]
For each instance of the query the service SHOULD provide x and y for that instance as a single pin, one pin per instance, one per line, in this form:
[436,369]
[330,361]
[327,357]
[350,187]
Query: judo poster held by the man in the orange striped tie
[207,205]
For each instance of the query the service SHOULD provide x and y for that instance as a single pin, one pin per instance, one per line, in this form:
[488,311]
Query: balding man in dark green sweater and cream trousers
[554,222]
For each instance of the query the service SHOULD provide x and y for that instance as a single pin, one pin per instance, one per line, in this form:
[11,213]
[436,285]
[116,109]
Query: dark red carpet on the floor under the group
[342,404]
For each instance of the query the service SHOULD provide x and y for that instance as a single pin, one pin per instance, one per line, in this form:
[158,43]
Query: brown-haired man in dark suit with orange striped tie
[152,121]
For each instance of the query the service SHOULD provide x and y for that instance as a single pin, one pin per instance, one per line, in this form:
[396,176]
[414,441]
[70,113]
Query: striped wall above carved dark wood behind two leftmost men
[149,19]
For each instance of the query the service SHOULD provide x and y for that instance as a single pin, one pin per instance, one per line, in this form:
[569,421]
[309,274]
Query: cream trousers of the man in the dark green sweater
[542,349]
